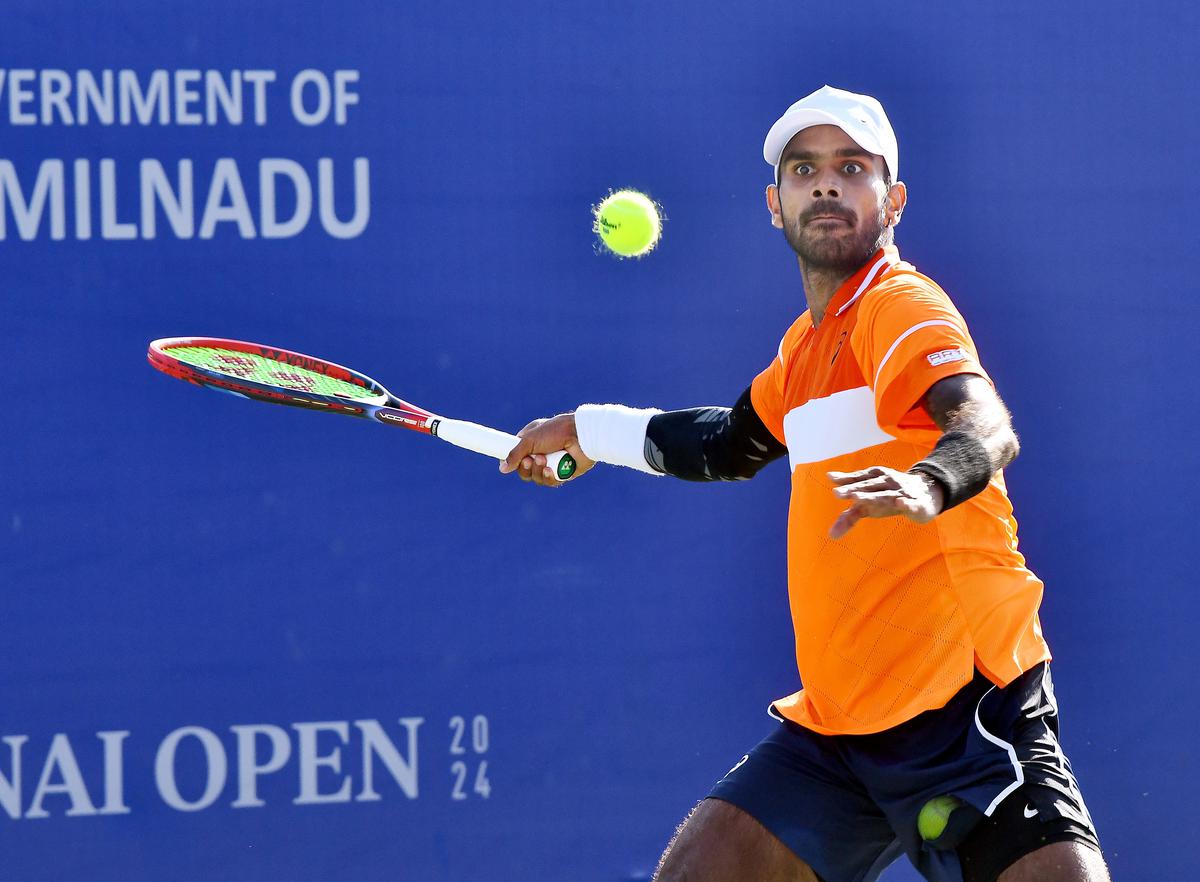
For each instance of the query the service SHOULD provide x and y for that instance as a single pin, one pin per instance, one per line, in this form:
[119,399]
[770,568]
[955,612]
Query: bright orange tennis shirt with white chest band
[893,619]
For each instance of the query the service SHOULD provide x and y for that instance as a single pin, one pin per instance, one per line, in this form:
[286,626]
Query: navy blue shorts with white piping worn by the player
[848,806]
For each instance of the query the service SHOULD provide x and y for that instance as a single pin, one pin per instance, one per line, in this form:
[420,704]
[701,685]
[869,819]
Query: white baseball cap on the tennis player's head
[861,117]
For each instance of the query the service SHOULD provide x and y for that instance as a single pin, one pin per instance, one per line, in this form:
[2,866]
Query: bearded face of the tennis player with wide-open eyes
[832,202]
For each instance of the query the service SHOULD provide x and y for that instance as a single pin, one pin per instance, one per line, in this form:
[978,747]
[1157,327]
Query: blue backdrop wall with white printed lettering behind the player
[244,643]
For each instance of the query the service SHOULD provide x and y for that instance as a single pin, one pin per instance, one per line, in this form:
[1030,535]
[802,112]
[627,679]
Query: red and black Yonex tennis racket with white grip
[283,377]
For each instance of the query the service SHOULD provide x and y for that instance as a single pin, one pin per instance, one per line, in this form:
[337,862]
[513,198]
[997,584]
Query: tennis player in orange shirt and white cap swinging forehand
[928,723]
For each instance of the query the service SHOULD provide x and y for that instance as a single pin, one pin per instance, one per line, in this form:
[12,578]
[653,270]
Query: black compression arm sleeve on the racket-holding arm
[712,443]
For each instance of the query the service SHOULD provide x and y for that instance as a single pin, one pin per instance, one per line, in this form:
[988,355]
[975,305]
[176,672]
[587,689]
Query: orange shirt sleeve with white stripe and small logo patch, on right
[908,338]
